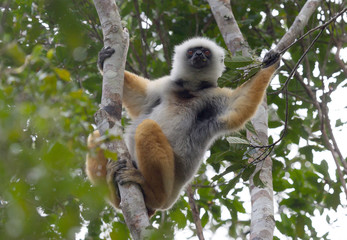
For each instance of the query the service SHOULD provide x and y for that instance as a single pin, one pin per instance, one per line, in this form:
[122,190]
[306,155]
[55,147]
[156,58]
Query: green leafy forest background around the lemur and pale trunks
[50,89]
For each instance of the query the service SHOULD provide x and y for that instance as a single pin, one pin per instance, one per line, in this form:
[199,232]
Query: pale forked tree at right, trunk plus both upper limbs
[262,214]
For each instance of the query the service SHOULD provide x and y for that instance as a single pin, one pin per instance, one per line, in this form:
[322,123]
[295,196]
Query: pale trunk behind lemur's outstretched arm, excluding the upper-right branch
[262,215]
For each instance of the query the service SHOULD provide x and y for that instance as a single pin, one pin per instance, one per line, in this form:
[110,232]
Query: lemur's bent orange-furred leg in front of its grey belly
[156,163]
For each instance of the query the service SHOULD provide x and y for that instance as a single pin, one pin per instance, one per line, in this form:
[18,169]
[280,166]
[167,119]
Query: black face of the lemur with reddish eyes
[199,57]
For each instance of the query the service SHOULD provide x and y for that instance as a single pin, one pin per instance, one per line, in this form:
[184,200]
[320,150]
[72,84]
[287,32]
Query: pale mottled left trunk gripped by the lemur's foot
[108,118]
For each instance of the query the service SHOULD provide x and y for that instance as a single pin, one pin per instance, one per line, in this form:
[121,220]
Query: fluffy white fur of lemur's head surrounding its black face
[182,70]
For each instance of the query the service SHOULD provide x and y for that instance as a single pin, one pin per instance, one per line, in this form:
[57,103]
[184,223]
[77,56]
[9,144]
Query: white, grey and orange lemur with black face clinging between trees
[176,118]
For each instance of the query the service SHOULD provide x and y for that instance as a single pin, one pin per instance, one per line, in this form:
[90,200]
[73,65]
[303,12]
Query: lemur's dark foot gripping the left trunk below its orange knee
[126,174]
